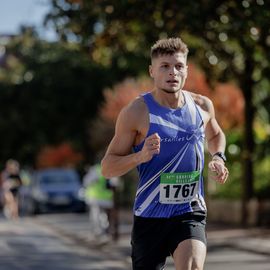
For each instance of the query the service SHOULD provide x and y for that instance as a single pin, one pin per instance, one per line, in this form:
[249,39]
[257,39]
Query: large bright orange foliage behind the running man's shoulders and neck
[227,98]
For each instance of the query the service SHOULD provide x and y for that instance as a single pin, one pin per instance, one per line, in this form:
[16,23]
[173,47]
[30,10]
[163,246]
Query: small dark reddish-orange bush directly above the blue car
[62,155]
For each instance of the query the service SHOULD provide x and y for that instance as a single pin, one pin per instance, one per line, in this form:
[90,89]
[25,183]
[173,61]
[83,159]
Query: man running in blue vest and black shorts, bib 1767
[167,128]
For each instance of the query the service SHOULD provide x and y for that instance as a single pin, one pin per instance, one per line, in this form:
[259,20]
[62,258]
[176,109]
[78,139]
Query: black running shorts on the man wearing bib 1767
[153,239]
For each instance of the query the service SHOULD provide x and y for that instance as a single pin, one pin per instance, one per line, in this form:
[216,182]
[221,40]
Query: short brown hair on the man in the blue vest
[168,47]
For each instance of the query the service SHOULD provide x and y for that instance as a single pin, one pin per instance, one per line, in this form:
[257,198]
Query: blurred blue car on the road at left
[53,189]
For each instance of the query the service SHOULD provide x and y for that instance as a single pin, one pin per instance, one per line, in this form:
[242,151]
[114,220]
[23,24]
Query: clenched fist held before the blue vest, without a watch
[150,148]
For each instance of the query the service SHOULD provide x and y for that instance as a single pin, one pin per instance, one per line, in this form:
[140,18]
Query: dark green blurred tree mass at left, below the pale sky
[49,93]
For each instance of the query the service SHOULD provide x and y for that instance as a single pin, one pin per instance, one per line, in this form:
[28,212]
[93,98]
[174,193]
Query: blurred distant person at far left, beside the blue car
[11,183]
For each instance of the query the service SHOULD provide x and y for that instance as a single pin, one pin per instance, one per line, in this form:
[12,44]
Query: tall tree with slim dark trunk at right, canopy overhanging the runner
[228,38]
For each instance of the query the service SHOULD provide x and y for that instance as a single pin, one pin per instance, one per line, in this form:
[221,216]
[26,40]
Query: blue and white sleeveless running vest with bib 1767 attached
[171,183]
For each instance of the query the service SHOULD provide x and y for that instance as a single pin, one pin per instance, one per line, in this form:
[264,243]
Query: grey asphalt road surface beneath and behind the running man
[61,242]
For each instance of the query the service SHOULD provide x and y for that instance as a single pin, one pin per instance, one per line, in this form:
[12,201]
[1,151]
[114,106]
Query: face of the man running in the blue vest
[169,72]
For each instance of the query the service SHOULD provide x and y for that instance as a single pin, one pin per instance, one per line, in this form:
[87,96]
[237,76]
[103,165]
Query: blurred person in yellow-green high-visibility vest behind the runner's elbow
[101,200]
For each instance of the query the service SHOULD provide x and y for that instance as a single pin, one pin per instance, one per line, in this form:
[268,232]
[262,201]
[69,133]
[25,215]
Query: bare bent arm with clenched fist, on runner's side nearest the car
[118,159]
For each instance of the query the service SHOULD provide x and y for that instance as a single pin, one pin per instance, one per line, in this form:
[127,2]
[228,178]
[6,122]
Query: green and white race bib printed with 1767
[178,188]
